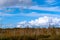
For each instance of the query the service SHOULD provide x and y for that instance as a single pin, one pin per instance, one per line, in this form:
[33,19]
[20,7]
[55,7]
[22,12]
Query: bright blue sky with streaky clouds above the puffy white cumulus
[15,11]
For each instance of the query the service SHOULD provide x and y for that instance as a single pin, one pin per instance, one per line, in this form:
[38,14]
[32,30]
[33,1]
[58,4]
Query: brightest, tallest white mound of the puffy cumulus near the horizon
[40,21]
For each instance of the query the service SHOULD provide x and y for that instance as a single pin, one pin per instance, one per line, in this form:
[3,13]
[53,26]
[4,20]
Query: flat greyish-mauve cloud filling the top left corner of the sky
[7,3]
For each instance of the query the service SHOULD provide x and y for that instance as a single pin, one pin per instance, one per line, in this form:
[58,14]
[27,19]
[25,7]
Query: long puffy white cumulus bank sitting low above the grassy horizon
[41,22]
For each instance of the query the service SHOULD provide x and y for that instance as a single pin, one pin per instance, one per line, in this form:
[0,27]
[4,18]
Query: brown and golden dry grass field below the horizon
[30,34]
